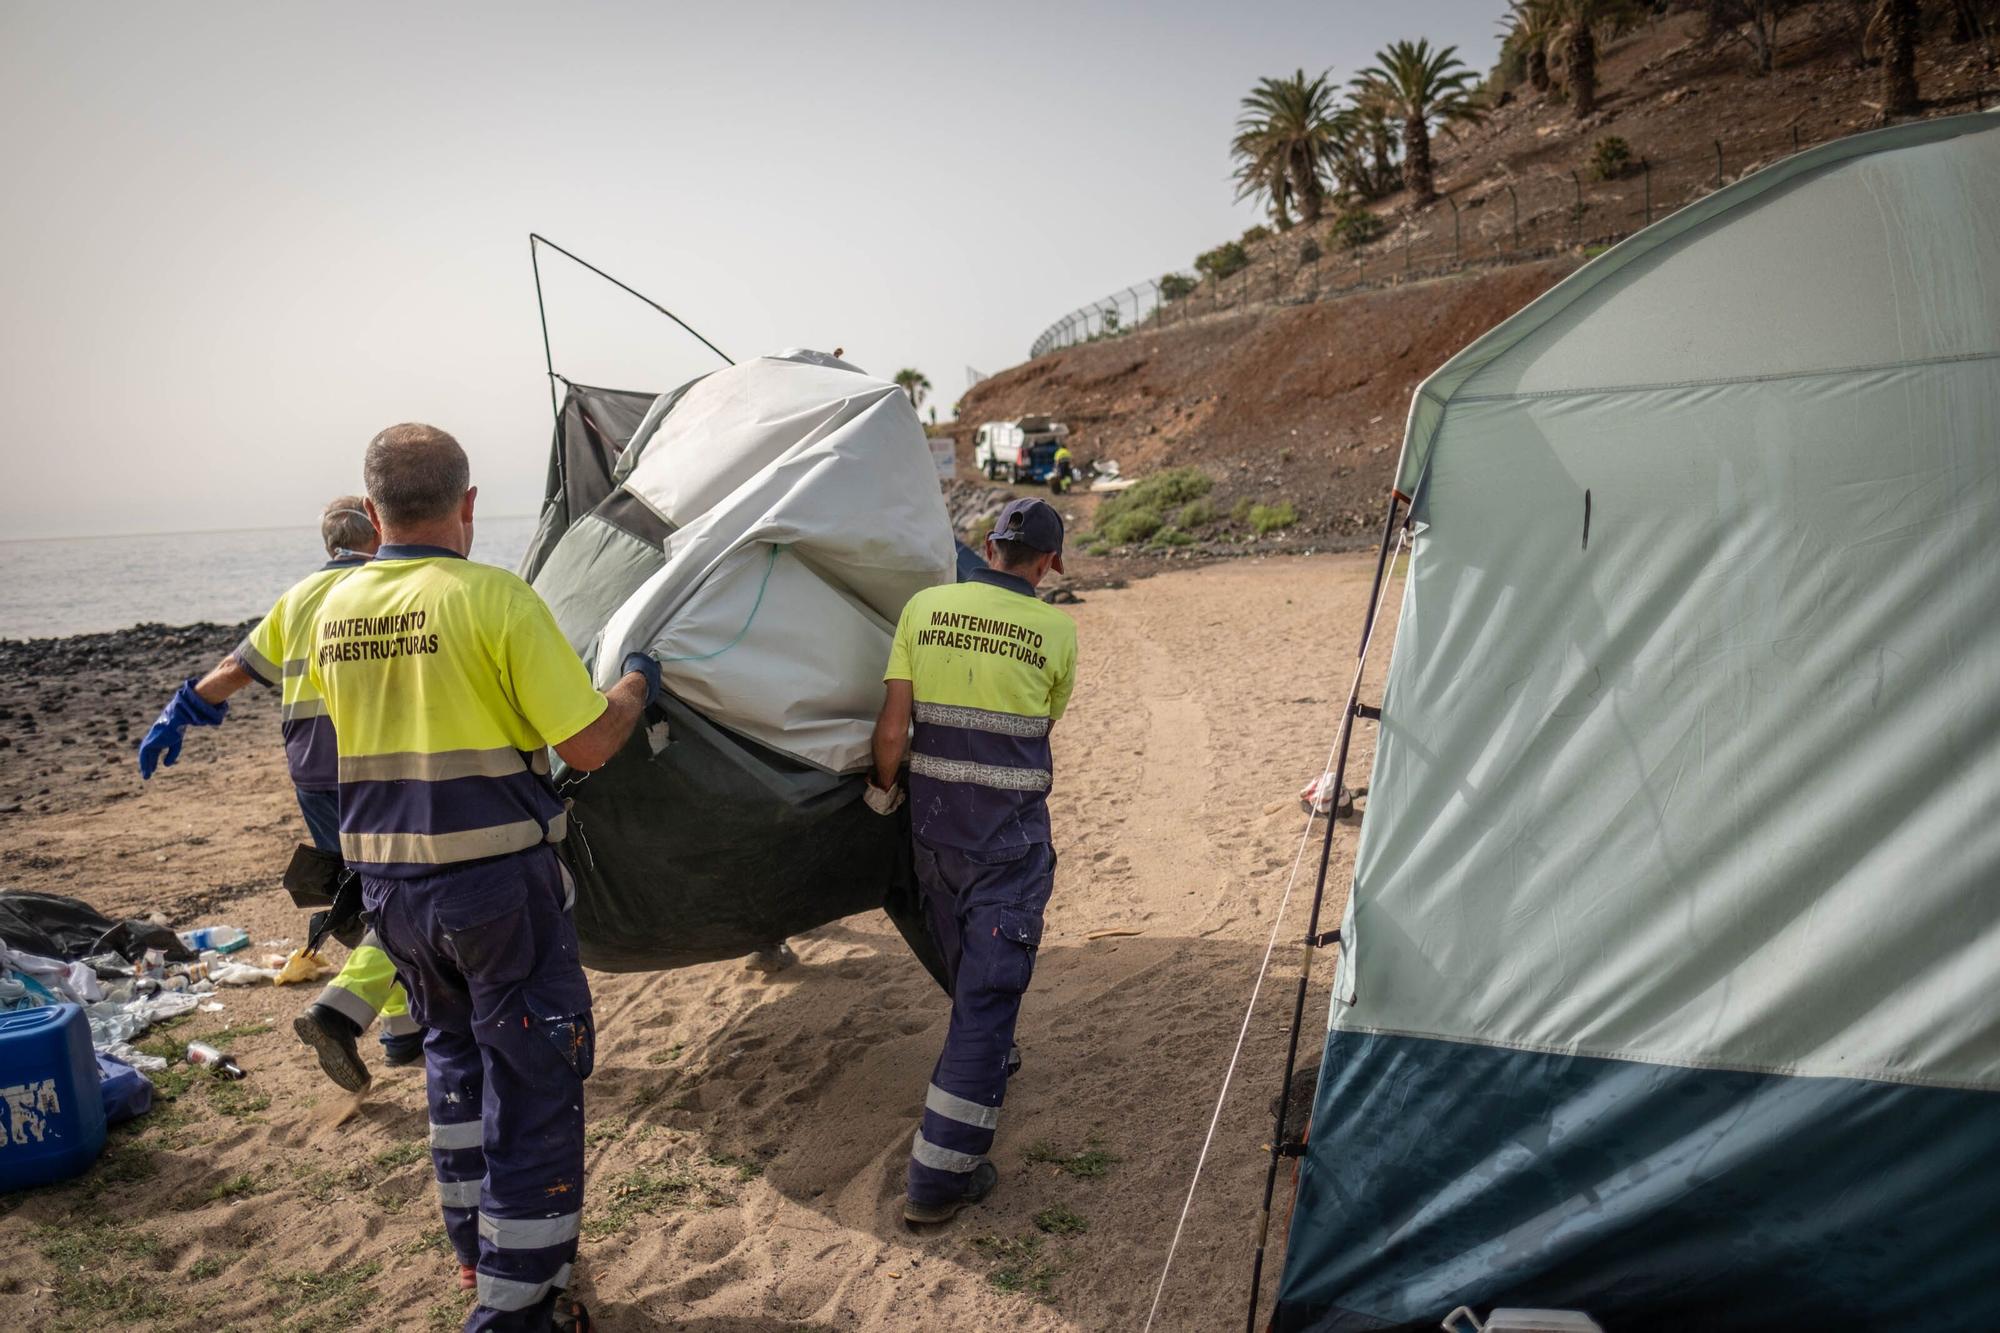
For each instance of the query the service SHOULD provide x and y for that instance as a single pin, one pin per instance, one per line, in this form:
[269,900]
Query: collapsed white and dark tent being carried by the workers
[757,531]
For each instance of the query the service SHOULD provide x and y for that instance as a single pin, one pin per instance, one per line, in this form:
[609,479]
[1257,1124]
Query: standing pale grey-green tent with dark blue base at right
[1671,968]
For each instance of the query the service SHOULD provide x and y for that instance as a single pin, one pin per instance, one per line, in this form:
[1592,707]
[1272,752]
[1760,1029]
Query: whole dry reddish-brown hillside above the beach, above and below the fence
[1283,385]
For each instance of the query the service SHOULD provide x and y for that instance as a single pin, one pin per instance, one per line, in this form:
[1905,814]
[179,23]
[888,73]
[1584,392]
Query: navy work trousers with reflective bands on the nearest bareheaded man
[489,956]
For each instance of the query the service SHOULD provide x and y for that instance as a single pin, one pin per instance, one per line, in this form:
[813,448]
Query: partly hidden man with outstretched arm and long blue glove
[275,655]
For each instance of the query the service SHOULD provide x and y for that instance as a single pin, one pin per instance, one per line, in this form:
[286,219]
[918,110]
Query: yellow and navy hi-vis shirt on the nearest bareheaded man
[447,684]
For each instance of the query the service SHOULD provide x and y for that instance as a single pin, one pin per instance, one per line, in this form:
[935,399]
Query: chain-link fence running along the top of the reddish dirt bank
[1501,219]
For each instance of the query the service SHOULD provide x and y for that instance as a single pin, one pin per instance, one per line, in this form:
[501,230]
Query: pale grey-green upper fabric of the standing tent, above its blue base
[1705,732]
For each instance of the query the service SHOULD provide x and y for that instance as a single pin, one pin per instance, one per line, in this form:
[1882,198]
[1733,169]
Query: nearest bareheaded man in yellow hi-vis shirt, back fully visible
[447,684]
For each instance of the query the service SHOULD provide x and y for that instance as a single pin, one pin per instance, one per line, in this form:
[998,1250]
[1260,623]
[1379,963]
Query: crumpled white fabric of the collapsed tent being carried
[805,513]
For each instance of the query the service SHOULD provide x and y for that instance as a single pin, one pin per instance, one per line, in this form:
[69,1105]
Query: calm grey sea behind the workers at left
[83,585]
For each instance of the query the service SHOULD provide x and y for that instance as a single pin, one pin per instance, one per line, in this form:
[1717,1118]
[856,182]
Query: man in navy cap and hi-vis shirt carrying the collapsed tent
[983,670]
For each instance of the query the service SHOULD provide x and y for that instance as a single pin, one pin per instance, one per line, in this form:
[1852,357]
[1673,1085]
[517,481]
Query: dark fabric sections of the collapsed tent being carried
[695,844]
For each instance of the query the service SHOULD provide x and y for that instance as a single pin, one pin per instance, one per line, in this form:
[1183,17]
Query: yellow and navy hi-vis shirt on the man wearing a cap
[991,670]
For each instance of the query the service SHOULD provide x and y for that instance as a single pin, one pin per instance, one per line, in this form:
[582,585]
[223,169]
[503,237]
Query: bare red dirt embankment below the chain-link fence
[1297,403]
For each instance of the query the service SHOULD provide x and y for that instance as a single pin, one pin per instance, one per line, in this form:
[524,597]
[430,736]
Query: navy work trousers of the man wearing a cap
[985,912]
